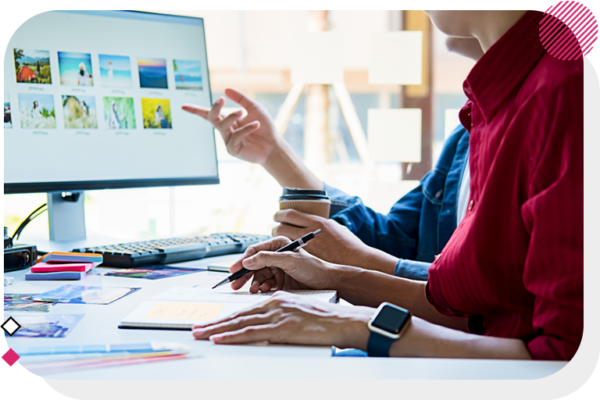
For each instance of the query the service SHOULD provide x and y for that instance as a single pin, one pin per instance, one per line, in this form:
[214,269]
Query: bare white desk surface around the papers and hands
[223,362]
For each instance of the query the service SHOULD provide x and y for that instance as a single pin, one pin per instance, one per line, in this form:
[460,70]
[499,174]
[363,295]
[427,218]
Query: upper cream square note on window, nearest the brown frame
[396,58]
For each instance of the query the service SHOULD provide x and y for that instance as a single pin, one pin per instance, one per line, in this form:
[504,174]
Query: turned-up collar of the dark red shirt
[505,65]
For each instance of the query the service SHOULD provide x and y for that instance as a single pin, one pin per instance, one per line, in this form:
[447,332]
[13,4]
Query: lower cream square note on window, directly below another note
[395,134]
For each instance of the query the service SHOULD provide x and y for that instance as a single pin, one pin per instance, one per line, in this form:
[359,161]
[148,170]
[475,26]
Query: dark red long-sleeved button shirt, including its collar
[514,265]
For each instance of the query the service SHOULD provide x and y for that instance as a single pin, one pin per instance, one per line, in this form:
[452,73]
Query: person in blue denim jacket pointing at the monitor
[402,242]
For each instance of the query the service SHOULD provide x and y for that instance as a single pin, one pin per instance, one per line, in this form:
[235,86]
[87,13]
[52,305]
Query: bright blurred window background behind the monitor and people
[254,51]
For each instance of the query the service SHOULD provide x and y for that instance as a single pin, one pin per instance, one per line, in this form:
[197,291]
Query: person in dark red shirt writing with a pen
[509,283]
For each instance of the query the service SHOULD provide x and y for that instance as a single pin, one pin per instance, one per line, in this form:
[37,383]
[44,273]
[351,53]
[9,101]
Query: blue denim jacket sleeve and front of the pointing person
[420,224]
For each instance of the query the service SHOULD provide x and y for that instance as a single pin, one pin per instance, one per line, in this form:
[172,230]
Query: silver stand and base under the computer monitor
[66,221]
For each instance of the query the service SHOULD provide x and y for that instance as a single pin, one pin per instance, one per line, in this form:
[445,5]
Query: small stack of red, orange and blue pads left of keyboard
[59,265]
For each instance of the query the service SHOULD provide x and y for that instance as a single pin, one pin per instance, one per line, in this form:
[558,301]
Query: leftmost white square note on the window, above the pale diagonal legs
[317,58]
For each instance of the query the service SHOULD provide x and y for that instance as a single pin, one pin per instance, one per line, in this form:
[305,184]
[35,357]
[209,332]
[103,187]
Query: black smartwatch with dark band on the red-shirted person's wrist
[386,326]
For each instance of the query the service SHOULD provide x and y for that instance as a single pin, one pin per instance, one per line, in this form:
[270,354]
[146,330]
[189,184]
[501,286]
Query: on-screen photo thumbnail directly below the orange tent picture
[37,111]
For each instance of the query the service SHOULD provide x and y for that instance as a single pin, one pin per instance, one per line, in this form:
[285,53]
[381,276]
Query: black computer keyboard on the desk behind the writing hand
[167,251]
